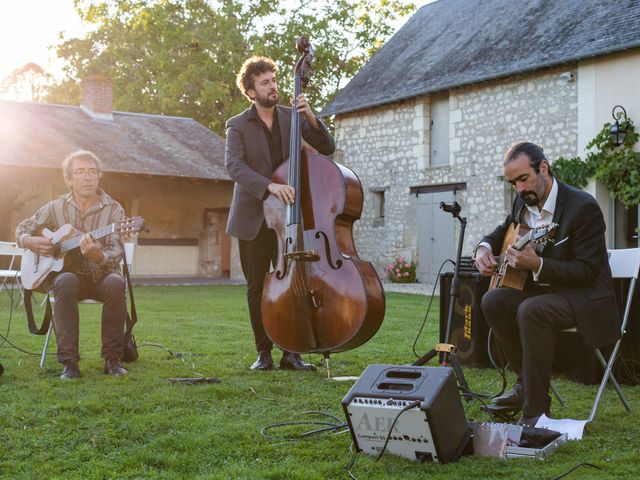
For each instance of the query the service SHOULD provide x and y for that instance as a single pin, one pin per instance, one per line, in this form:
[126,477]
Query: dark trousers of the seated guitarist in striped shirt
[68,289]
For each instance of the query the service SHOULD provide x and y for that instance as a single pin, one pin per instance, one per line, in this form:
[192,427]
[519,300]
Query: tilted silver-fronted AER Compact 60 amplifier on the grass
[433,431]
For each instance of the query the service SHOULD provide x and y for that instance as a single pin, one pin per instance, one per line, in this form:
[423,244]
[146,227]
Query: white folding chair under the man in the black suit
[624,263]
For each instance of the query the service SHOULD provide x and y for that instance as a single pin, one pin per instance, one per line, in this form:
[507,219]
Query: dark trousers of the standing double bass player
[256,258]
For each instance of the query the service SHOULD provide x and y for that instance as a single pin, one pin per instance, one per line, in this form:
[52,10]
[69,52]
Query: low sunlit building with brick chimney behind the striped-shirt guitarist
[169,170]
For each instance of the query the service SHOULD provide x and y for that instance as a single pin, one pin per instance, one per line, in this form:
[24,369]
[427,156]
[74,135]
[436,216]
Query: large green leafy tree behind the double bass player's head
[180,57]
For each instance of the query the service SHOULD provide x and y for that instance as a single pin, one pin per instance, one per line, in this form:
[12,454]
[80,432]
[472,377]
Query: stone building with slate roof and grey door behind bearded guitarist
[429,117]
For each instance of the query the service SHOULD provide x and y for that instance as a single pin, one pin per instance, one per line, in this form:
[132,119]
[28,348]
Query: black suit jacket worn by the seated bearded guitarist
[577,266]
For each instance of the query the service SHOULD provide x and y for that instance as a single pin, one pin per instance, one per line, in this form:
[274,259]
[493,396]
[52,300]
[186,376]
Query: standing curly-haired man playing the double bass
[257,143]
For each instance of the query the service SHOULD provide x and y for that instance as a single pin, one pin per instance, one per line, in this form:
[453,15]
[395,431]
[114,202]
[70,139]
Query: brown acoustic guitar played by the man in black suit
[518,236]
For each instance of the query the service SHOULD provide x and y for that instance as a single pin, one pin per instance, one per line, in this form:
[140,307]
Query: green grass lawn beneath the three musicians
[141,426]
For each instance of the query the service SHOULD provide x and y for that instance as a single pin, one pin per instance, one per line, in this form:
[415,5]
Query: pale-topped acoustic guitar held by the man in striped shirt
[35,269]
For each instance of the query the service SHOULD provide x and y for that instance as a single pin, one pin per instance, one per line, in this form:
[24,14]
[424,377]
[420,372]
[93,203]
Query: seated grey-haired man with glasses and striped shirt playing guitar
[92,272]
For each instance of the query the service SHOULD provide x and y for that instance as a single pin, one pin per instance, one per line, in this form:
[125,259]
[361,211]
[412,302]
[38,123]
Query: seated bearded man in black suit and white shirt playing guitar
[569,285]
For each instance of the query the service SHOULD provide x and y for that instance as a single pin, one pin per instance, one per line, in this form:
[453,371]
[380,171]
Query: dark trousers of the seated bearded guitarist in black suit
[526,325]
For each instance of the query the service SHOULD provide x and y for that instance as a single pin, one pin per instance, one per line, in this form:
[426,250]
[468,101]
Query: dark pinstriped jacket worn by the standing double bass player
[248,161]
